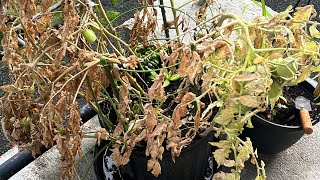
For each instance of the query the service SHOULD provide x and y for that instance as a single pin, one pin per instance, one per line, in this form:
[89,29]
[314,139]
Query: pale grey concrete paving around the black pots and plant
[301,161]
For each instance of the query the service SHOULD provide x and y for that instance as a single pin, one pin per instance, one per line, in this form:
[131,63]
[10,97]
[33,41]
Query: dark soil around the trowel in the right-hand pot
[289,116]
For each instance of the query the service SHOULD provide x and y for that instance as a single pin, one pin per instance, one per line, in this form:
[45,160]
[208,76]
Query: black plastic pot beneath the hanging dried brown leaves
[192,164]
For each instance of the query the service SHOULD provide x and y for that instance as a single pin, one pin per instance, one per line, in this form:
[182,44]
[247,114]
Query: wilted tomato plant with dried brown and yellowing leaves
[237,68]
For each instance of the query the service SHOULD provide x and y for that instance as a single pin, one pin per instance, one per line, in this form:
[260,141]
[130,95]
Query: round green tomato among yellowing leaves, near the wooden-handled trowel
[286,69]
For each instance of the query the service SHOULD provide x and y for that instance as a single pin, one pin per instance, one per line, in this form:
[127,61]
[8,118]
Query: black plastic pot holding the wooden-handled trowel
[271,138]
